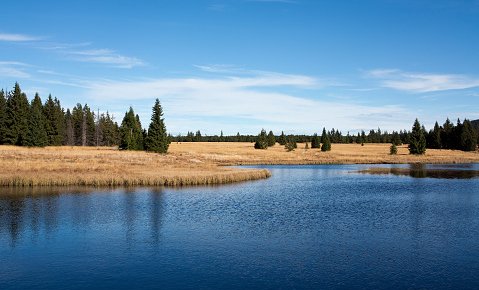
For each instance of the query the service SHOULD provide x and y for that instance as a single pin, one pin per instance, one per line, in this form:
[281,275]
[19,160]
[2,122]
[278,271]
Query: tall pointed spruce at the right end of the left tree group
[157,139]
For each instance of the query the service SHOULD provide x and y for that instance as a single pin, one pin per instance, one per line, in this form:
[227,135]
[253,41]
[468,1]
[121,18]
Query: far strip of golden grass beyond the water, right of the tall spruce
[243,153]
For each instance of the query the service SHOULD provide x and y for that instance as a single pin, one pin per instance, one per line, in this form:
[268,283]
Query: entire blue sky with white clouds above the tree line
[243,65]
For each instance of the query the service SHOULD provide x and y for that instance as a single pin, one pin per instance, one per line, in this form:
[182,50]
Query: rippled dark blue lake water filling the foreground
[310,227]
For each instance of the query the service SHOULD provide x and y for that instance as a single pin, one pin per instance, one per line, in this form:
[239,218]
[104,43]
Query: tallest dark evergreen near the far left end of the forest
[17,115]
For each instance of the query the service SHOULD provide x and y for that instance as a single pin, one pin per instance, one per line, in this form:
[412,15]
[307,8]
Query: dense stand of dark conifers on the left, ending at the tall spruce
[39,124]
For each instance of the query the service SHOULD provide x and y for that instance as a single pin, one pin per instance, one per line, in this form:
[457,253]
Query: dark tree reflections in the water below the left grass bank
[39,213]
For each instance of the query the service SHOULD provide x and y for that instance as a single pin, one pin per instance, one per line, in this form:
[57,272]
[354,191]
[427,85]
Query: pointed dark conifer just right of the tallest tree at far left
[37,135]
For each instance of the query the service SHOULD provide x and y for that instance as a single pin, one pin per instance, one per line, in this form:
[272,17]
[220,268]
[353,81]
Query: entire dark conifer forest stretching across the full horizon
[35,123]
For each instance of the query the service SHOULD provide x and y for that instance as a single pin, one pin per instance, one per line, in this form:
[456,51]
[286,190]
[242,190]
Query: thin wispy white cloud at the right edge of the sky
[422,82]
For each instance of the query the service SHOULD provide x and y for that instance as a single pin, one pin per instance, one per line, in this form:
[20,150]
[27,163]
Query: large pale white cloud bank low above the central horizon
[257,101]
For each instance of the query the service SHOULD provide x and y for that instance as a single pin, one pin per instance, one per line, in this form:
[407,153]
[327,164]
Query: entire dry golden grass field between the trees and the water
[186,163]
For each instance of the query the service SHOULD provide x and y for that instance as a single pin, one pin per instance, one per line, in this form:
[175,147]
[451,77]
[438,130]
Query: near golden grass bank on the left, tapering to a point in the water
[67,166]
